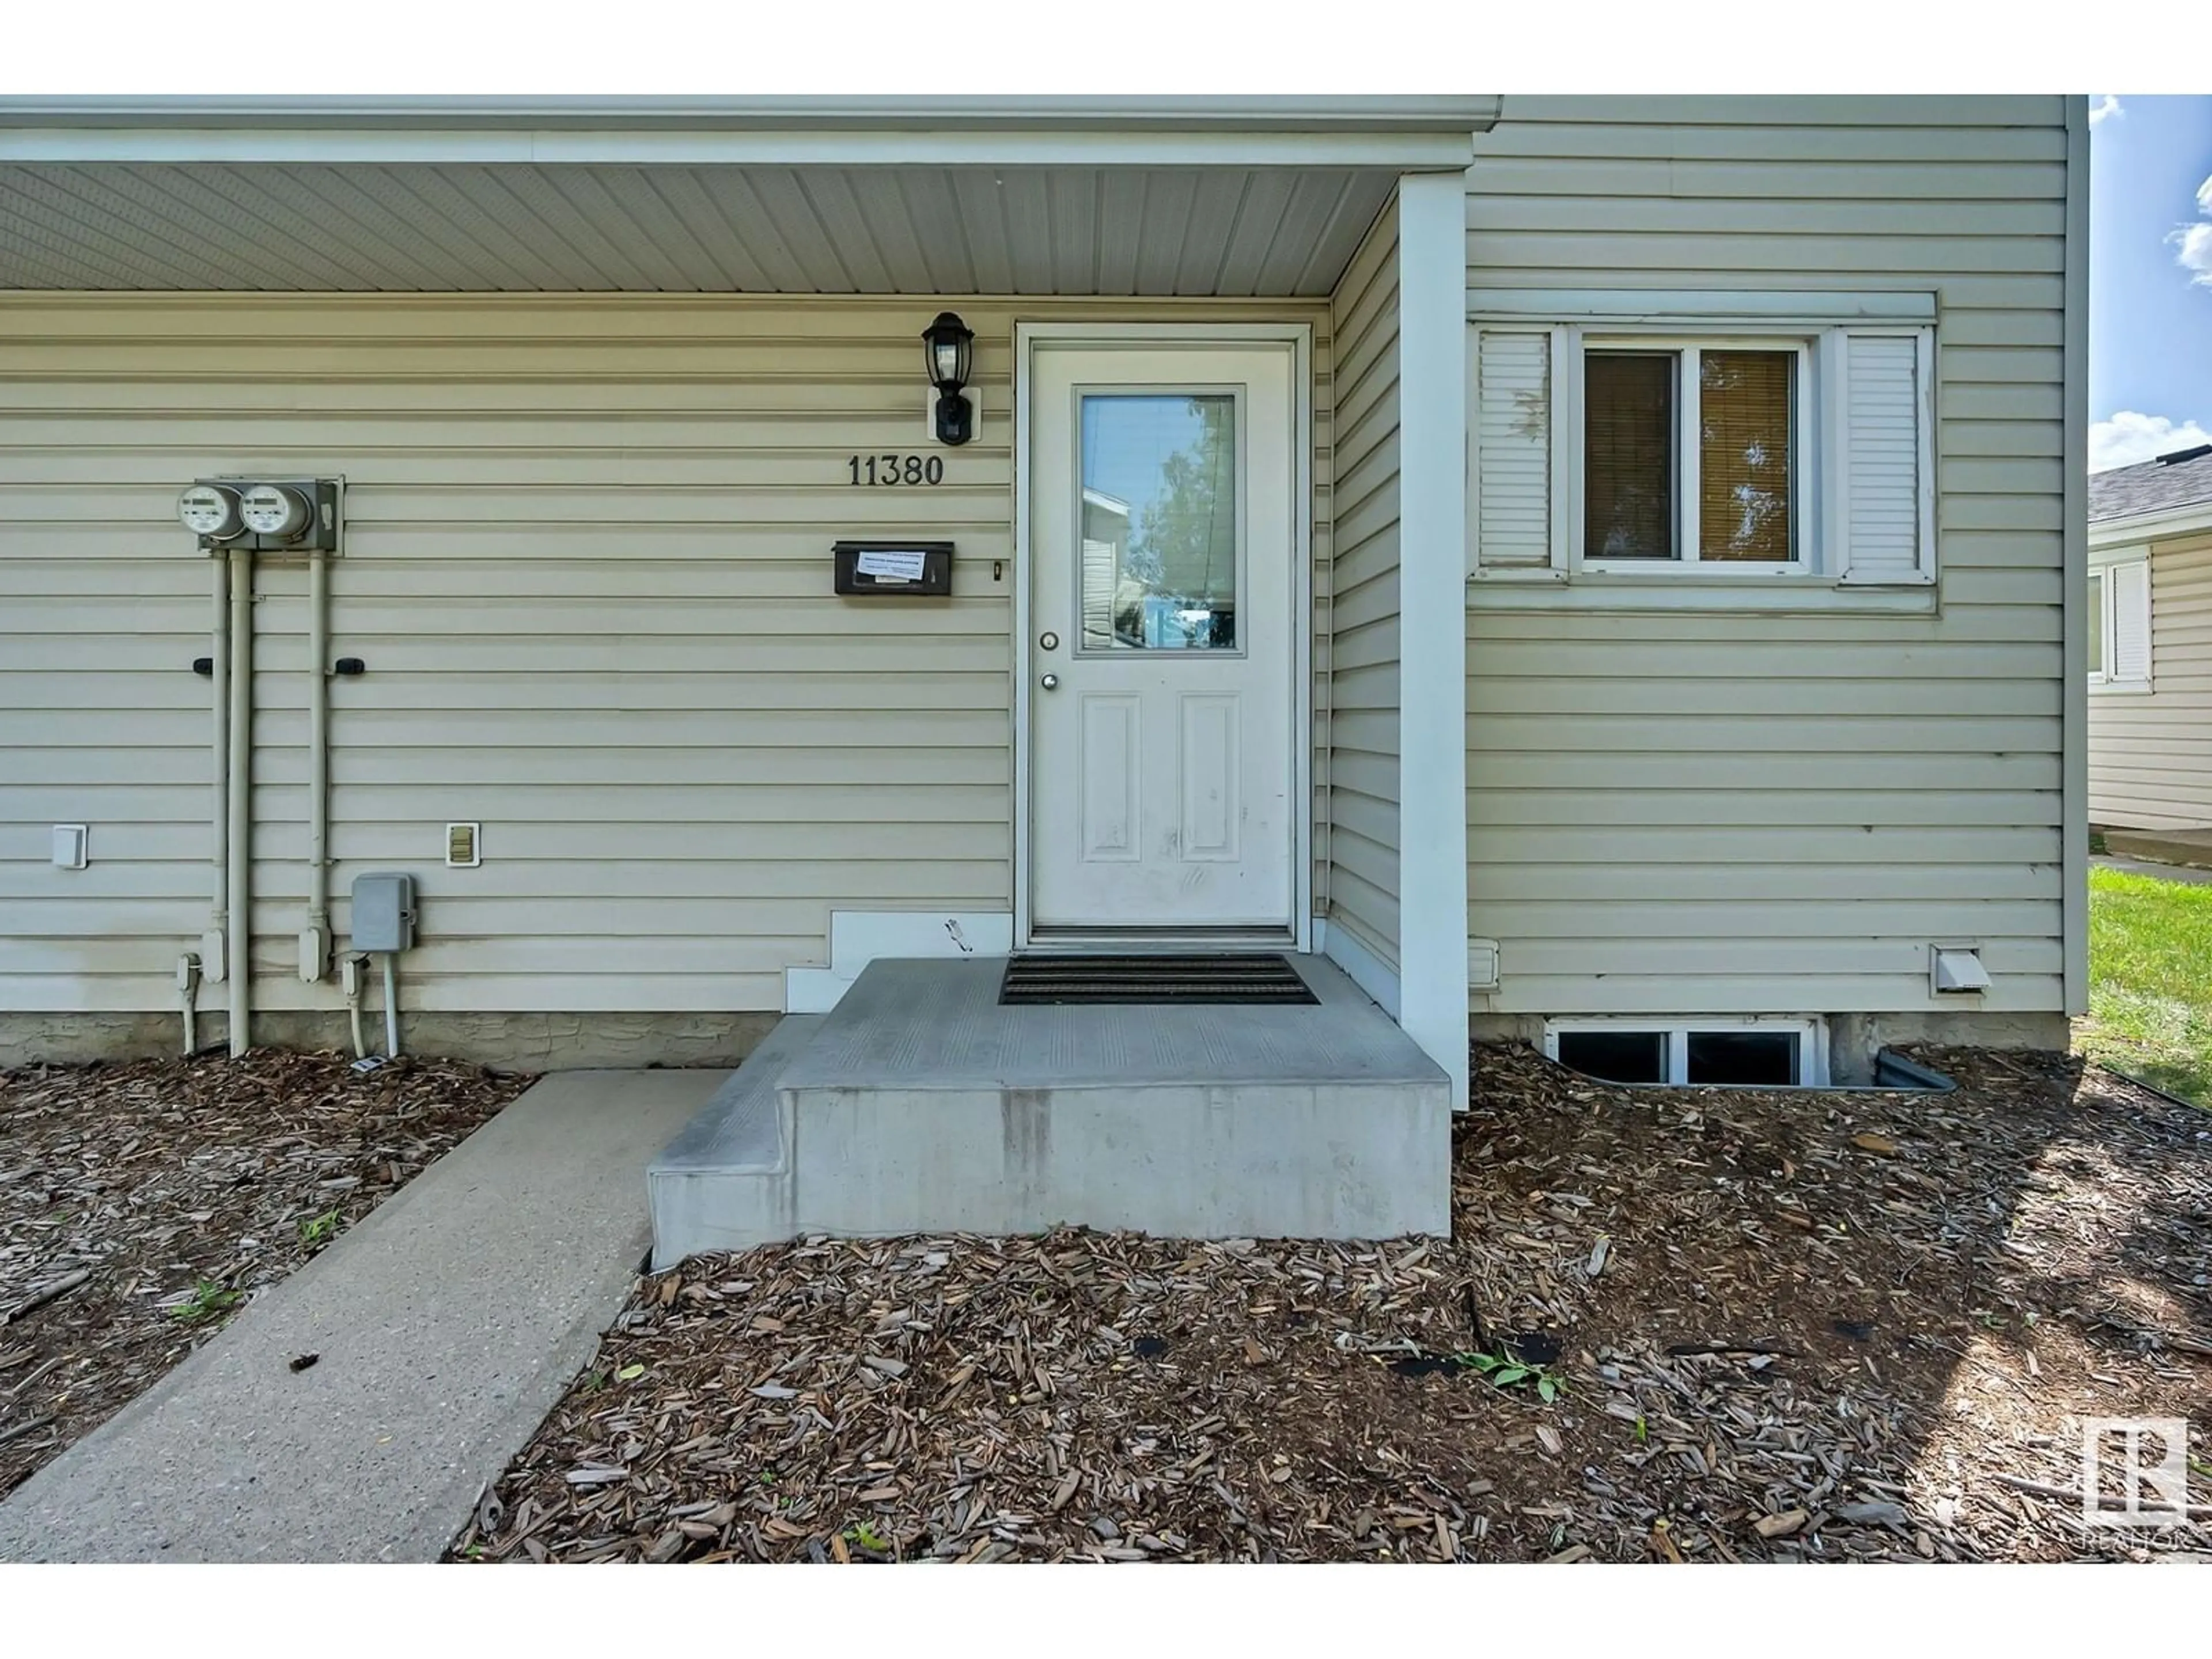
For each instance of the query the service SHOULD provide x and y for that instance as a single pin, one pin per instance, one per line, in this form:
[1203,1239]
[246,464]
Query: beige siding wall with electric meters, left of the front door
[587,565]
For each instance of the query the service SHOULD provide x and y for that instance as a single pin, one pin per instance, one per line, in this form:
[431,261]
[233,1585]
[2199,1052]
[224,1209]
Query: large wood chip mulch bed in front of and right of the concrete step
[1777,1326]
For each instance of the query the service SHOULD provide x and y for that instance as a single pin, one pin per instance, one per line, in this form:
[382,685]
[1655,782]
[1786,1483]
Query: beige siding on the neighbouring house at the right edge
[2151,753]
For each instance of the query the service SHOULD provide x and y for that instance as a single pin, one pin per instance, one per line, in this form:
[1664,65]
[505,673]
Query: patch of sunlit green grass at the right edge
[2151,981]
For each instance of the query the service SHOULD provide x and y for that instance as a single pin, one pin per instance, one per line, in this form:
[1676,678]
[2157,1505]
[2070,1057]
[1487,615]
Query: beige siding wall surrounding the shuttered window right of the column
[1726,813]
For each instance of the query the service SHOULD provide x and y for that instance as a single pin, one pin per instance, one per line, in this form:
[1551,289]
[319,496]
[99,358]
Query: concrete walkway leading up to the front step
[448,1324]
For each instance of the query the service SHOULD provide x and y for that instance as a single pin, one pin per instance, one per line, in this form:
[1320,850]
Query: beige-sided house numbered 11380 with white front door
[1585,565]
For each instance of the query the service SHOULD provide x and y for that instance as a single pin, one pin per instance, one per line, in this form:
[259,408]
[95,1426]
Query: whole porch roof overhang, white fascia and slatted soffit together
[709,196]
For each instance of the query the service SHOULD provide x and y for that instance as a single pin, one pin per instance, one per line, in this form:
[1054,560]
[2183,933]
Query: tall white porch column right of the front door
[1432,618]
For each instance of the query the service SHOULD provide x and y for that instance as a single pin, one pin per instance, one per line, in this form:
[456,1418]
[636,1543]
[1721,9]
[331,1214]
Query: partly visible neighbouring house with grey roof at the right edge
[2151,645]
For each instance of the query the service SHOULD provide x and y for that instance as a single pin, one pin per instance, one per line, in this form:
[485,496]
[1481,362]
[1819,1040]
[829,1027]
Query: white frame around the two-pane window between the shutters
[1804,452]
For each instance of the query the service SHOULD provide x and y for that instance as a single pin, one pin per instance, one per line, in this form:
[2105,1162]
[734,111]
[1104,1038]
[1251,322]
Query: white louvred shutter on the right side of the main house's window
[1888,459]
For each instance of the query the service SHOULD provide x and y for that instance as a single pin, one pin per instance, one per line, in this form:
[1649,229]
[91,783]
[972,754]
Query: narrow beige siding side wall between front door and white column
[1364,603]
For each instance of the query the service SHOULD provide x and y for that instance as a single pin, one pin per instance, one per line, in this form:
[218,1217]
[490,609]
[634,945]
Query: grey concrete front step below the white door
[919,1105]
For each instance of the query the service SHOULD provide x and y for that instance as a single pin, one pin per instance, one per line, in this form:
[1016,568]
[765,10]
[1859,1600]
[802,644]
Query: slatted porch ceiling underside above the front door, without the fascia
[685,229]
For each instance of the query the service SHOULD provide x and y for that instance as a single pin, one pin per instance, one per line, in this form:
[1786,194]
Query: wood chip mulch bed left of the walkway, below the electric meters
[143,1204]
